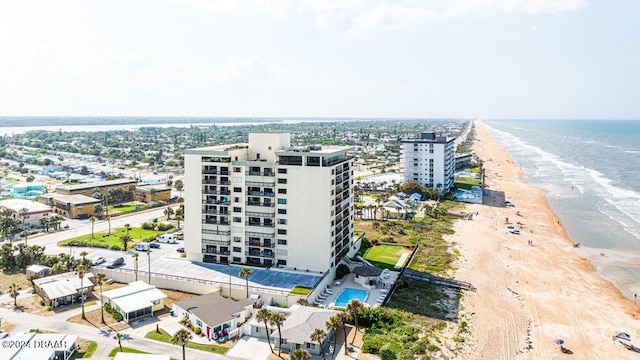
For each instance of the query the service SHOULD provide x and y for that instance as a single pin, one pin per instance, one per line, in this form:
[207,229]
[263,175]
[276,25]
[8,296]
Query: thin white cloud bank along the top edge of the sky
[359,17]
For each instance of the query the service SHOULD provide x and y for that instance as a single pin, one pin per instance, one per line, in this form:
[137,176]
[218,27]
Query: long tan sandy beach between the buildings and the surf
[534,287]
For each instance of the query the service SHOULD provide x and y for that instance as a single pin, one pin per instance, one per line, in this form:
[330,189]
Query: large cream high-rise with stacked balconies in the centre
[270,204]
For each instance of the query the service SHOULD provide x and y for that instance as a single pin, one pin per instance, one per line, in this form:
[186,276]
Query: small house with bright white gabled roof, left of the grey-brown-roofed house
[135,301]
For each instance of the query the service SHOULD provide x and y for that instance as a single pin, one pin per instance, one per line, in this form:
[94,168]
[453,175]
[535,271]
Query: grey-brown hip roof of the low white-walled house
[213,308]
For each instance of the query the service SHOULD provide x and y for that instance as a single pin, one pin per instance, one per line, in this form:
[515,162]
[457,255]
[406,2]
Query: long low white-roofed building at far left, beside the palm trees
[63,289]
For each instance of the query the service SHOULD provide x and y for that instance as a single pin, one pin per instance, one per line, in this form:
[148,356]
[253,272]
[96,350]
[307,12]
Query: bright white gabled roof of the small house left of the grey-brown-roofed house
[138,295]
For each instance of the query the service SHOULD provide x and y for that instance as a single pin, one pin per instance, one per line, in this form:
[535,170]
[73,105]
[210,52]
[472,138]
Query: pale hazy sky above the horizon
[485,59]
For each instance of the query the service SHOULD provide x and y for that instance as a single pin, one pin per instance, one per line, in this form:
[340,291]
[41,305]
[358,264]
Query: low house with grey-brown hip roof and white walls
[216,315]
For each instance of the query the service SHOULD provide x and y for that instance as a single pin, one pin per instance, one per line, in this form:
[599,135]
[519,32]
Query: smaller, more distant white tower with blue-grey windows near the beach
[429,160]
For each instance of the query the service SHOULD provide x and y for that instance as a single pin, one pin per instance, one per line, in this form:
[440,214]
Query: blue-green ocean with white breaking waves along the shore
[591,170]
